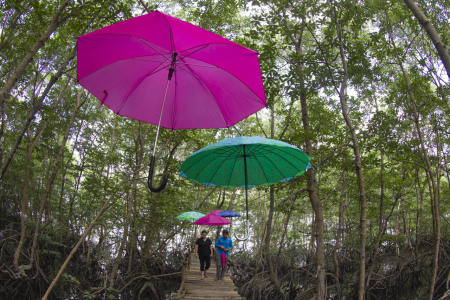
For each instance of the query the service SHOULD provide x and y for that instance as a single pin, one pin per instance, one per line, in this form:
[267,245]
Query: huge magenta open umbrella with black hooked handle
[167,72]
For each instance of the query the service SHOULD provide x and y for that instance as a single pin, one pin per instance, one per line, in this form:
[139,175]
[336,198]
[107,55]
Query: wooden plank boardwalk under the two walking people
[209,288]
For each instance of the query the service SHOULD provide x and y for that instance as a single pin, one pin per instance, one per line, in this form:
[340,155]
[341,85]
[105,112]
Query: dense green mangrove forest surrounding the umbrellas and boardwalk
[362,87]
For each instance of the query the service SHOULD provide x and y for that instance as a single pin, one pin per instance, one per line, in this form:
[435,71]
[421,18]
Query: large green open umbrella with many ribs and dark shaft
[245,162]
